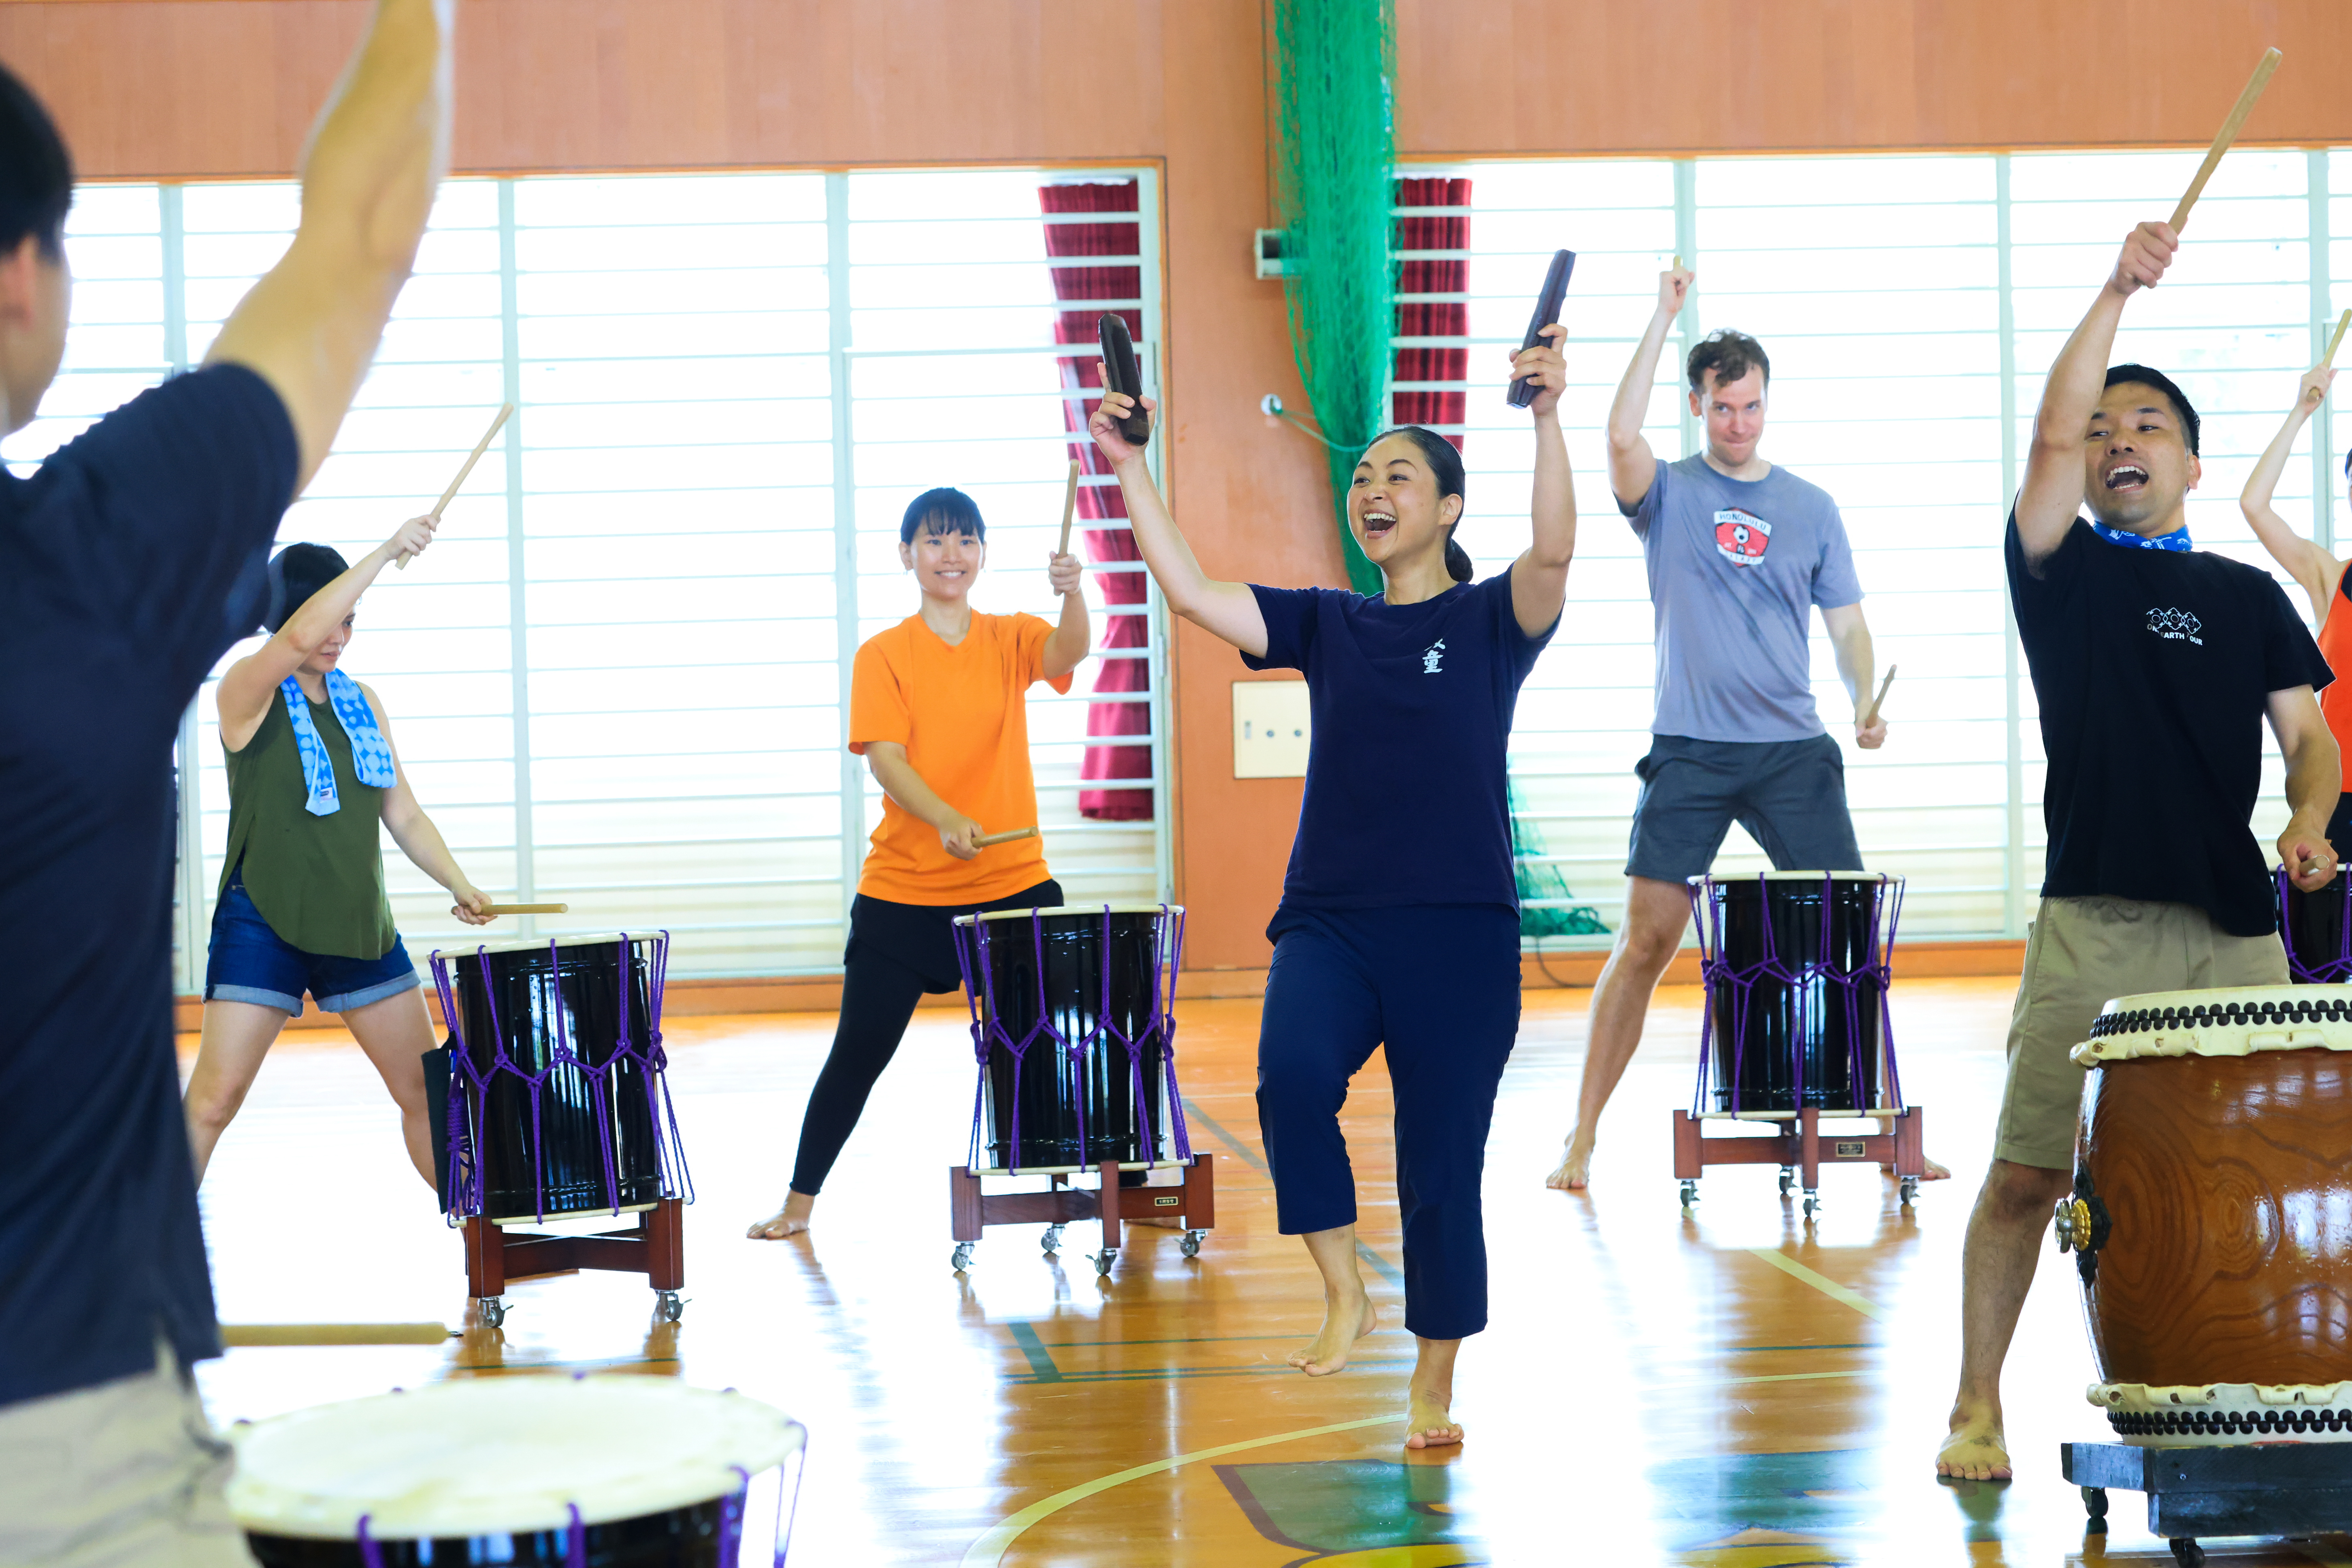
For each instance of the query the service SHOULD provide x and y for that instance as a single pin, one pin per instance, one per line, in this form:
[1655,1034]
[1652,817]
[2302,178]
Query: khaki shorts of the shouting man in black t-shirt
[2078,956]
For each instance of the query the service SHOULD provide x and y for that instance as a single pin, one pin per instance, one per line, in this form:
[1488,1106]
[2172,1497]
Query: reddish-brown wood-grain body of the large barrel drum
[2229,1191]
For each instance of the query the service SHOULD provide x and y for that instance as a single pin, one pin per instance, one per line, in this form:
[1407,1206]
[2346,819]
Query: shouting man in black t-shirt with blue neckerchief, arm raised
[2156,669]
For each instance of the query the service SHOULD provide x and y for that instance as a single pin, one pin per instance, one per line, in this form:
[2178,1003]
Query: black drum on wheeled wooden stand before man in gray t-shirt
[1798,1031]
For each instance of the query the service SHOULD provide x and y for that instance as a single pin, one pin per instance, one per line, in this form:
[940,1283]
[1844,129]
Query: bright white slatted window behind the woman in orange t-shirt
[620,678]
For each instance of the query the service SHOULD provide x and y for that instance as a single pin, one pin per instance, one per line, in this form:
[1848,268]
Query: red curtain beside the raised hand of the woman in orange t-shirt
[1076,323]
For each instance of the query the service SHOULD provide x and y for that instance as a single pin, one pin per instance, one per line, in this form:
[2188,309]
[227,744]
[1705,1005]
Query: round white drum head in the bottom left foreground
[495,1456]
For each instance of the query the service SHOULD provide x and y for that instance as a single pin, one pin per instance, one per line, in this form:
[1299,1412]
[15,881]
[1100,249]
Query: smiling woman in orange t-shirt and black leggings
[937,709]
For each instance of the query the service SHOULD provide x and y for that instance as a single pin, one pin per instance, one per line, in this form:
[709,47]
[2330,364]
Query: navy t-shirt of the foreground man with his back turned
[128,565]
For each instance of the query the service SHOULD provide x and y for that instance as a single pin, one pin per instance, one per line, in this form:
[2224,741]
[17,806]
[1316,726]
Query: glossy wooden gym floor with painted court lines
[1713,1391]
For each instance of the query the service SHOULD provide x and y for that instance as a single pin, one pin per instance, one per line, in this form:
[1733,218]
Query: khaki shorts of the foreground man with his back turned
[121,1475]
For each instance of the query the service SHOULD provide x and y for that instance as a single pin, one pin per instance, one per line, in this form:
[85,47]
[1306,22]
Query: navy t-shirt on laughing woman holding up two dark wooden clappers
[1408,760]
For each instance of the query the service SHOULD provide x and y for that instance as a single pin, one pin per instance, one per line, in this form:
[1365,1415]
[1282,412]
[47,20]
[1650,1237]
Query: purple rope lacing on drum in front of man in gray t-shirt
[1716,970]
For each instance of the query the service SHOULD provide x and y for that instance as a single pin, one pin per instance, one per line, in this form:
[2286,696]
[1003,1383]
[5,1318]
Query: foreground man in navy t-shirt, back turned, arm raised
[128,565]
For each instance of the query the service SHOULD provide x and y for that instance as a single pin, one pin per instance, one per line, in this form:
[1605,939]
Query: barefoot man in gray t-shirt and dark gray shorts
[1739,556]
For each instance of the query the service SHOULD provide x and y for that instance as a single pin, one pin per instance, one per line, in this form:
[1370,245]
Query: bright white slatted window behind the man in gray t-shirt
[1892,295]
